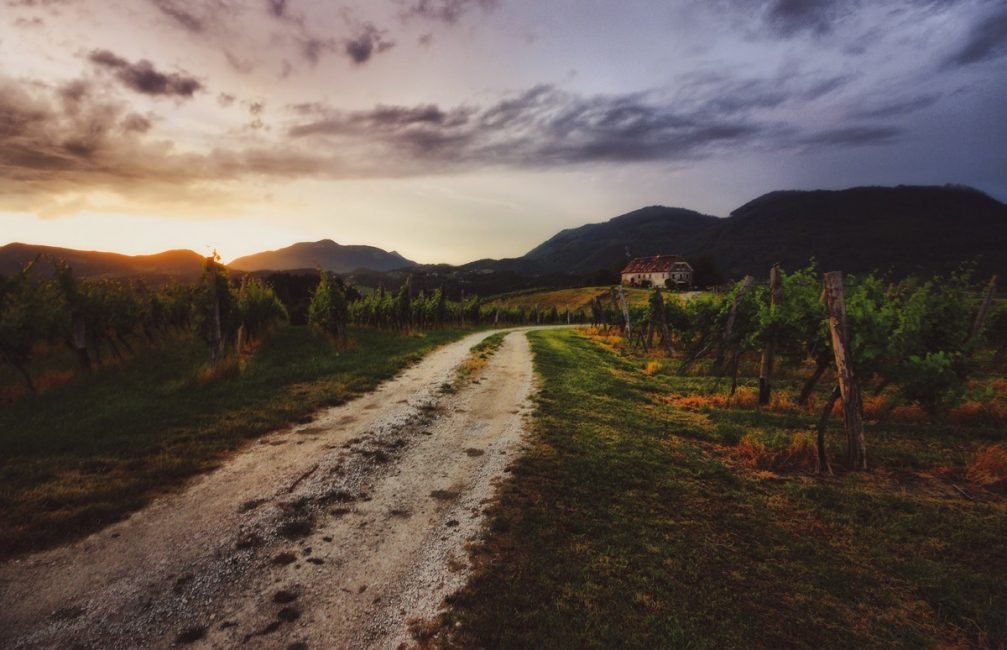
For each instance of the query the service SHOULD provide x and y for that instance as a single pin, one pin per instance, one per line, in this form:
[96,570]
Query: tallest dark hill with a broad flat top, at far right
[905,230]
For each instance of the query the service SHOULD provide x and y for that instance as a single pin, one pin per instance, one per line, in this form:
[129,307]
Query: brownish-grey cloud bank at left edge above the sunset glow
[48,150]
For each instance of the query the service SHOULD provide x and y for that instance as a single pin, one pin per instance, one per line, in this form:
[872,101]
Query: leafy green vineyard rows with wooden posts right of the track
[925,344]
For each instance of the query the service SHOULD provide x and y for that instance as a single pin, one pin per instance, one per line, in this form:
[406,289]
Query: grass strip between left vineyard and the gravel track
[87,453]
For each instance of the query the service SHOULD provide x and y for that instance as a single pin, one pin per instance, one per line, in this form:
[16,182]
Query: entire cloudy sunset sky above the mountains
[453,131]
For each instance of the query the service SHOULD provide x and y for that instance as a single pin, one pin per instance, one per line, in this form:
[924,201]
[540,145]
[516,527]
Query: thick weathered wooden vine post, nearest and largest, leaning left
[853,410]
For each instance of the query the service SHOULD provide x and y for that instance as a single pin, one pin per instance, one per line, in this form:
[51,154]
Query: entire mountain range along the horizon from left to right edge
[904,230]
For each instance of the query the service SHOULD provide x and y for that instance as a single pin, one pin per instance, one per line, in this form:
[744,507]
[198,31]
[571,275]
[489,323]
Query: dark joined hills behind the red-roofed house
[906,230]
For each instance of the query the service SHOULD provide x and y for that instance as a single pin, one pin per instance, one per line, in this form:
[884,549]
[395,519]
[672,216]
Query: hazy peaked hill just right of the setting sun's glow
[326,254]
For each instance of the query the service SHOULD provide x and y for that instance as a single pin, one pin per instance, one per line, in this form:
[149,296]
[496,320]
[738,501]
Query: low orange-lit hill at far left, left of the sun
[177,264]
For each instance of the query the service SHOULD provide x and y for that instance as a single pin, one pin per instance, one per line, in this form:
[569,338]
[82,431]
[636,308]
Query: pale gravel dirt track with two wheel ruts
[330,535]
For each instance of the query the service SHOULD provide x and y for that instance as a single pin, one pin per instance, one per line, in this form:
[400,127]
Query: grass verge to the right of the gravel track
[630,525]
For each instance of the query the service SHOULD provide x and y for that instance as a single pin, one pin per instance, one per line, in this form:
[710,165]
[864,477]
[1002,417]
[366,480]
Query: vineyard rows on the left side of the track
[101,321]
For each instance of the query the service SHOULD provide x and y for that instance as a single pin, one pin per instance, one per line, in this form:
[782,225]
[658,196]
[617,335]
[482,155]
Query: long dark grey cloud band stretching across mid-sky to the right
[546,126]
